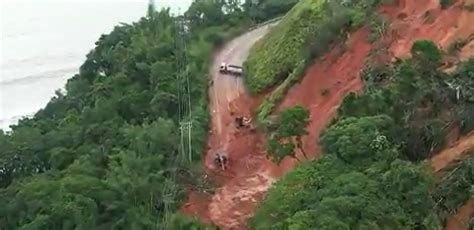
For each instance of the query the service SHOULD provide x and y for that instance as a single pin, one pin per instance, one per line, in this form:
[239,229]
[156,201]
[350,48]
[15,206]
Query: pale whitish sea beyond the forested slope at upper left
[43,43]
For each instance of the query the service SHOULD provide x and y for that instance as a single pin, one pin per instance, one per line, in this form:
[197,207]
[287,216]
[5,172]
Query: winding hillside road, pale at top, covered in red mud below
[249,174]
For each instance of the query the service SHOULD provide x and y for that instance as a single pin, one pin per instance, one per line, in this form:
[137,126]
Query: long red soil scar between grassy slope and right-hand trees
[336,72]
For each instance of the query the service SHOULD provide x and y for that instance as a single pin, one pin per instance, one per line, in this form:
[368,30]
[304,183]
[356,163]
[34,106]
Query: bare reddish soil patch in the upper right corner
[424,19]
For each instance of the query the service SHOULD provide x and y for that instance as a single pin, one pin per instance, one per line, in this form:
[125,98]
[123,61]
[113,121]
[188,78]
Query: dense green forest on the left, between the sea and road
[105,154]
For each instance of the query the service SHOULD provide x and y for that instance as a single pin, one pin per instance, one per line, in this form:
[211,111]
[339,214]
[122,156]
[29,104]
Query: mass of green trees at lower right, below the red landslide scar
[365,178]
